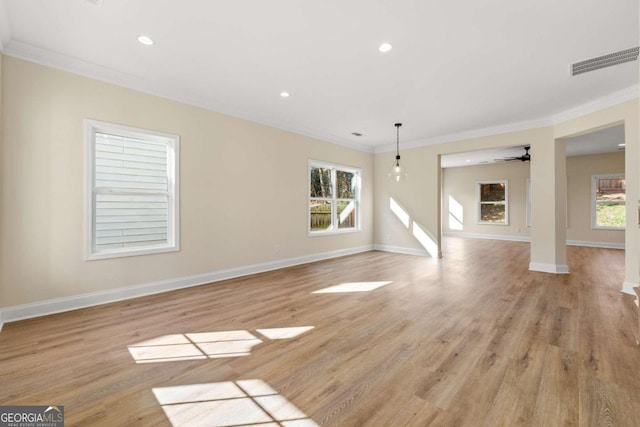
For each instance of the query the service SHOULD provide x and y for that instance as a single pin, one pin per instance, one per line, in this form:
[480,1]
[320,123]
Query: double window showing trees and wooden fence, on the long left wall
[334,198]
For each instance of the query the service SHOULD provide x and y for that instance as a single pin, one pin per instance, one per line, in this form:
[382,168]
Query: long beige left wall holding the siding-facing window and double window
[243,187]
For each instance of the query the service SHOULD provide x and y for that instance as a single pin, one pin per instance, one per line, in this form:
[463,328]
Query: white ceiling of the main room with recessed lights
[455,67]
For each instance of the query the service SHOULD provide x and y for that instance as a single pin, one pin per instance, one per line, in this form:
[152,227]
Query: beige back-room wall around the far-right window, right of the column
[580,170]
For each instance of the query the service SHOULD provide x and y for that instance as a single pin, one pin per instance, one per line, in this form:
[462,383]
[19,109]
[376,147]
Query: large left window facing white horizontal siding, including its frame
[131,191]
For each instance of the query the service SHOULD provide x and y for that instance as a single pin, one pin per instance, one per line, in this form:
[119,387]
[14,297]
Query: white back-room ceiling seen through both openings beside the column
[601,141]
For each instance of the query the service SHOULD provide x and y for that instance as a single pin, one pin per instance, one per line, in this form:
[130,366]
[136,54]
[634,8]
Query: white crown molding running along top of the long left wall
[149,86]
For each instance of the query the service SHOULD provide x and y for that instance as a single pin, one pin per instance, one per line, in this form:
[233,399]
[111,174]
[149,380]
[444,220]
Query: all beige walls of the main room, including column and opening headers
[230,170]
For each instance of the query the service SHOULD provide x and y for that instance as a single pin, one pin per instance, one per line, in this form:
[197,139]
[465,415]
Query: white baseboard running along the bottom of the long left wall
[43,308]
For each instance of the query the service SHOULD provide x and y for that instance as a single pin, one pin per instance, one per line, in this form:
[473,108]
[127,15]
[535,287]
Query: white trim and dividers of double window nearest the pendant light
[334,199]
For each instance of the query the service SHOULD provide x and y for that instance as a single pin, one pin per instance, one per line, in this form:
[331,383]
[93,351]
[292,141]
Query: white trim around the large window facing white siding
[91,127]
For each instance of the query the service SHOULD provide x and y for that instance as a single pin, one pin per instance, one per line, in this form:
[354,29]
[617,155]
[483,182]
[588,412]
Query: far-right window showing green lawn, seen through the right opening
[608,197]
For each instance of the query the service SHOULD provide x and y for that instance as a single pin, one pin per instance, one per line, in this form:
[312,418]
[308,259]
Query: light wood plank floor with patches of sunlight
[472,339]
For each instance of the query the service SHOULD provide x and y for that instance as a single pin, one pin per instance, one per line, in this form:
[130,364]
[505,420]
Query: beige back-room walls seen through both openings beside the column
[460,182]
